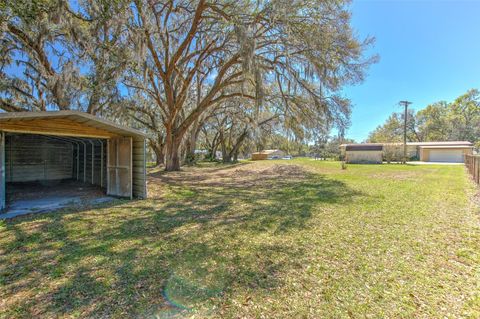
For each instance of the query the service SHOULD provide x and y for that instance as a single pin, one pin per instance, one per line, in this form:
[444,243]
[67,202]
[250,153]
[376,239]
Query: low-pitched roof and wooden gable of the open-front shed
[72,123]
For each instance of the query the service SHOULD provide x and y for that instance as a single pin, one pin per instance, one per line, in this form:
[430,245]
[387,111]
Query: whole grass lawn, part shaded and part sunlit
[272,239]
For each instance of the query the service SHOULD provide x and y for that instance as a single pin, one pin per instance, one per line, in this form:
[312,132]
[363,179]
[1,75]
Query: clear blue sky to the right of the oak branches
[429,51]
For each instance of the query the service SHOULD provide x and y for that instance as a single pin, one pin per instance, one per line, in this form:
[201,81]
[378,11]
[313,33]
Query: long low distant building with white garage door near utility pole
[446,151]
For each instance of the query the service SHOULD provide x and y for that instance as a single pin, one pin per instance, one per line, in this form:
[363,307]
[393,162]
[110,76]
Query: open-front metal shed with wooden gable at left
[41,147]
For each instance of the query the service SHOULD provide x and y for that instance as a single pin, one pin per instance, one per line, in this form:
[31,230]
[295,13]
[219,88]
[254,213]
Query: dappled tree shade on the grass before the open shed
[182,251]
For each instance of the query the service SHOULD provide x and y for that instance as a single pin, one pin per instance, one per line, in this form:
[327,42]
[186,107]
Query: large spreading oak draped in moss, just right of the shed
[234,48]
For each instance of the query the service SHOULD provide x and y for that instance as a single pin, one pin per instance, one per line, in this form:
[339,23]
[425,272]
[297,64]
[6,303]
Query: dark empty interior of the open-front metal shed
[38,167]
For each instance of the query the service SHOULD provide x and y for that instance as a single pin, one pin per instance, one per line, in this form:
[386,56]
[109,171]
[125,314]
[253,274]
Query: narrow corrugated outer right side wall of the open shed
[139,173]
